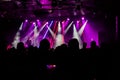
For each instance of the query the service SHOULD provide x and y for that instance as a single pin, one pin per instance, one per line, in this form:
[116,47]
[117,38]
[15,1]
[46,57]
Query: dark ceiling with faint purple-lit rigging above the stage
[56,8]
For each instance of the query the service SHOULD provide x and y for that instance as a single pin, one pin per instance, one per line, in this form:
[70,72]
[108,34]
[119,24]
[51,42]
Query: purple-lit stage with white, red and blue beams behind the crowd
[36,32]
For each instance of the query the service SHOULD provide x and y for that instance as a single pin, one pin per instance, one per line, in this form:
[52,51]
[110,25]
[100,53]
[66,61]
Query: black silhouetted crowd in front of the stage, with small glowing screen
[65,62]
